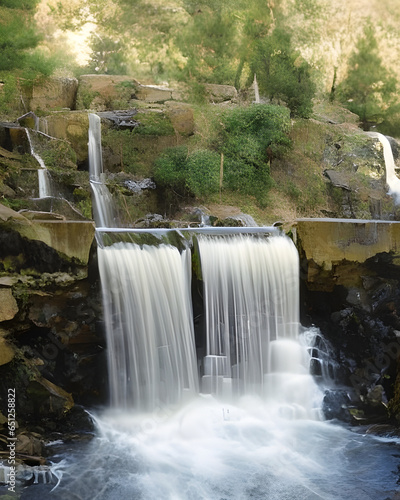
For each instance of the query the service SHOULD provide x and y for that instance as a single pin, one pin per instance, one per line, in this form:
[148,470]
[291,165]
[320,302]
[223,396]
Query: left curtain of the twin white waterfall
[149,323]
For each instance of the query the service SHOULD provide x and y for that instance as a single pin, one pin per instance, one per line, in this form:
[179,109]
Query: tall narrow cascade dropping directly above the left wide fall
[103,211]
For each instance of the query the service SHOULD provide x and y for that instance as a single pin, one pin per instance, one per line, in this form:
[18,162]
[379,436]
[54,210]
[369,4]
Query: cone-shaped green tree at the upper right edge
[368,90]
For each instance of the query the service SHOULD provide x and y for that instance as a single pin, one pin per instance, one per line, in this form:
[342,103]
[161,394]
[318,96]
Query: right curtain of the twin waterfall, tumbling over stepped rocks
[251,295]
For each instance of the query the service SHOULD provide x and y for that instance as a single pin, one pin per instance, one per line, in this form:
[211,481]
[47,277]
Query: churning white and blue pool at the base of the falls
[208,451]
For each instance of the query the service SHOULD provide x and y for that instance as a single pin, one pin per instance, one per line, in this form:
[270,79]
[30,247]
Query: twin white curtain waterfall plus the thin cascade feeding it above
[243,342]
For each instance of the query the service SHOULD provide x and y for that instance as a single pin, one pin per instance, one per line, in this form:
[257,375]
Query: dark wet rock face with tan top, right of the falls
[350,274]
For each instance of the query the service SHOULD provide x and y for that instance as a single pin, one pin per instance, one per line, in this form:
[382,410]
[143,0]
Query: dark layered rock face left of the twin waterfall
[49,311]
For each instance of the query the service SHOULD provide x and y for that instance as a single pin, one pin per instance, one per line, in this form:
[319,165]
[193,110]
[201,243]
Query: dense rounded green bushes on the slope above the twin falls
[243,137]
